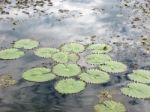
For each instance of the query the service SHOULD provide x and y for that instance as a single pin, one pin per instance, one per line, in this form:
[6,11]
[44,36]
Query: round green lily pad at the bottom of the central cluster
[69,86]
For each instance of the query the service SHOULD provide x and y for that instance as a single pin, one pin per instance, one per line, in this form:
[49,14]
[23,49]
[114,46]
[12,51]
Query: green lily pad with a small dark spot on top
[100,48]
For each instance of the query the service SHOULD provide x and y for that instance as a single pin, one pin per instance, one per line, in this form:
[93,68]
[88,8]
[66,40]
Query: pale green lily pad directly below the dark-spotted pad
[97,58]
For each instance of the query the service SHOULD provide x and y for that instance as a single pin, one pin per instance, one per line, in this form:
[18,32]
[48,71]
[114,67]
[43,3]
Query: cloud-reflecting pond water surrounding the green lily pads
[83,21]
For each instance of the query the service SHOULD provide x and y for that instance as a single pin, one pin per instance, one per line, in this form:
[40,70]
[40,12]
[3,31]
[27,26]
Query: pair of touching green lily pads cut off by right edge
[139,88]
